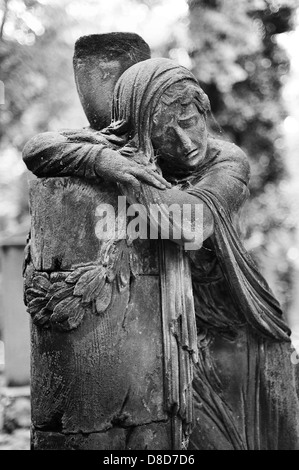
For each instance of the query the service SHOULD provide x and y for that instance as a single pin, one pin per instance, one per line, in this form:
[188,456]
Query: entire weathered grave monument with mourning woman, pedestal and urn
[117,362]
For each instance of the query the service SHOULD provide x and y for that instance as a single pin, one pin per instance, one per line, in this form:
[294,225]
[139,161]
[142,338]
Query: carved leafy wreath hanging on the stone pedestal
[62,299]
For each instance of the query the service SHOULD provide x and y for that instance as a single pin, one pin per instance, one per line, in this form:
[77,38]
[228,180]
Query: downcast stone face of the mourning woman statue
[179,134]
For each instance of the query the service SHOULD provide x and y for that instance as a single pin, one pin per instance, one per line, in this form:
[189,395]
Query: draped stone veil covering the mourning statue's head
[136,96]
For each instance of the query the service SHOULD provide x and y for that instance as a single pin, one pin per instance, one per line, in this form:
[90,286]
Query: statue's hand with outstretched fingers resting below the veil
[112,166]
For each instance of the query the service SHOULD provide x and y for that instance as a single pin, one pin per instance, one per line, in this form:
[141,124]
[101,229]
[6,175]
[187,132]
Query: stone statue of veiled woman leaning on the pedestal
[158,149]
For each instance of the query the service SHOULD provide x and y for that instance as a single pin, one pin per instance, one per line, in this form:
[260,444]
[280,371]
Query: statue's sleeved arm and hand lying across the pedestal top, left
[85,154]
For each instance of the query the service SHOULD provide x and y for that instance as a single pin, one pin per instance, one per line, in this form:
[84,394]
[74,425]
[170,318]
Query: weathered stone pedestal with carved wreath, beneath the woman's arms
[108,367]
